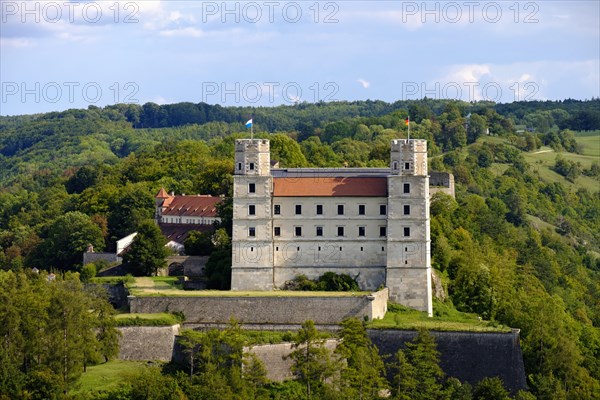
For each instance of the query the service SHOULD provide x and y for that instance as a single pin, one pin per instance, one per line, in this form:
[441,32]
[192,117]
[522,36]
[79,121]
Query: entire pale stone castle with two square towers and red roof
[372,223]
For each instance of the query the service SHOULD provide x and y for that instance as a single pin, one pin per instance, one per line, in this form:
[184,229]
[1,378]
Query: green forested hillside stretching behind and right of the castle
[520,244]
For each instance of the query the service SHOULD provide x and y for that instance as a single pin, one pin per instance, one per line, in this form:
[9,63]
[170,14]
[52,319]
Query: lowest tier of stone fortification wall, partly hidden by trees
[468,356]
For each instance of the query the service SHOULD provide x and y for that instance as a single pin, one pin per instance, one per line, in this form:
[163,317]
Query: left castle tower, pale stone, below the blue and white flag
[252,265]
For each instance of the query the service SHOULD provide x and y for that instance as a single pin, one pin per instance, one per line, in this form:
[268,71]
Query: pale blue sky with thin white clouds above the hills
[56,55]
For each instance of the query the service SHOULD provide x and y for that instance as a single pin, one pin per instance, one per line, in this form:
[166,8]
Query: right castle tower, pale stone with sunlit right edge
[408,268]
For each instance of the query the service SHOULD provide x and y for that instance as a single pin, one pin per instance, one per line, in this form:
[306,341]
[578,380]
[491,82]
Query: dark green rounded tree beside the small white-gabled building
[147,252]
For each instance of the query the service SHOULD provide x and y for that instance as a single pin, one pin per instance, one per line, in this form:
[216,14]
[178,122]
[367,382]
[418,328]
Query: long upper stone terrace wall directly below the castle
[266,310]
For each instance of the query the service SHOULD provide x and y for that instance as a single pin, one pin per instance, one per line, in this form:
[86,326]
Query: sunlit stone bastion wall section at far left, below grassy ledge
[147,343]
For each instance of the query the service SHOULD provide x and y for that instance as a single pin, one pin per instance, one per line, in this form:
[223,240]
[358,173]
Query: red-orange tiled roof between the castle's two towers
[327,187]
